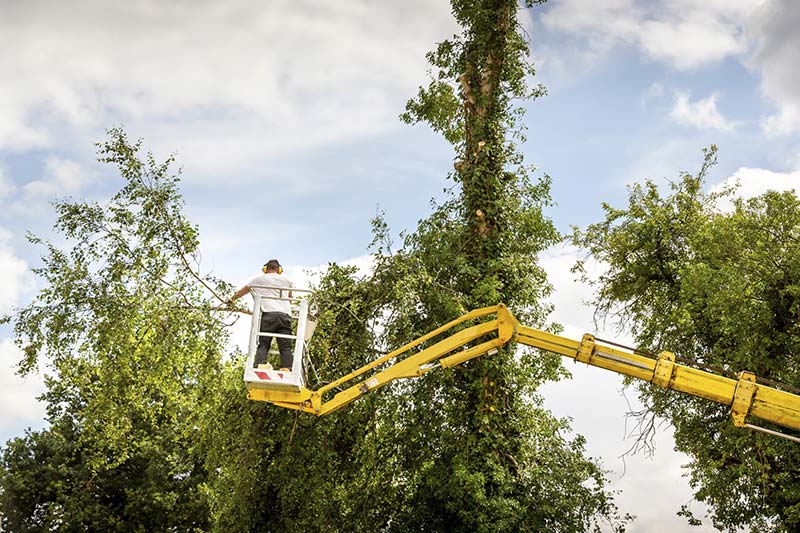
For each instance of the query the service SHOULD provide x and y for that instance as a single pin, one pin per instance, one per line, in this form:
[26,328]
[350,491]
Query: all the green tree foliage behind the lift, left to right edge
[150,429]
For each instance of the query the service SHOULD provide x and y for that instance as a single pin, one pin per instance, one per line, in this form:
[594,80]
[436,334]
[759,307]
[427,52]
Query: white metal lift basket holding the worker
[269,378]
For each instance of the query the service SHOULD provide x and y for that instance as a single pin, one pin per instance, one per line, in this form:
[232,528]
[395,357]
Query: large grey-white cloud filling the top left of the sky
[237,83]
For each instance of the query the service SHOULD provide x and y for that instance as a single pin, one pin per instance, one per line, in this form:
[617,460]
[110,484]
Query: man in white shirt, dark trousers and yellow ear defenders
[275,313]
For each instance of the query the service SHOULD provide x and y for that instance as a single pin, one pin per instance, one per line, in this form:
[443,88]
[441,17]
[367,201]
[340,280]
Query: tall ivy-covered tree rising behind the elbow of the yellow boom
[485,432]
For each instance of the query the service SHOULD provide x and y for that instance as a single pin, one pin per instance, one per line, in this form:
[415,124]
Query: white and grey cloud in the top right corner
[691,34]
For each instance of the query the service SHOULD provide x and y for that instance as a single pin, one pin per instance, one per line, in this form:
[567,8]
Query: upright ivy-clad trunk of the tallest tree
[490,402]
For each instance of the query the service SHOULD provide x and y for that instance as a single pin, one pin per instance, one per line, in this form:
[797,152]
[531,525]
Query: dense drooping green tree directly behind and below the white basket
[271,469]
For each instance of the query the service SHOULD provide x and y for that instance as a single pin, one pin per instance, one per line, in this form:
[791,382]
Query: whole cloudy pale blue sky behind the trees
[284,118]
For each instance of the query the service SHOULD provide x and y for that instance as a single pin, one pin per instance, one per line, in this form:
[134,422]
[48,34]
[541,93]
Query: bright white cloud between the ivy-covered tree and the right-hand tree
[653,490]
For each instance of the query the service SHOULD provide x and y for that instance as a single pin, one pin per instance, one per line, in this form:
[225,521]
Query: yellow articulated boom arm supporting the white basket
[745,396]
